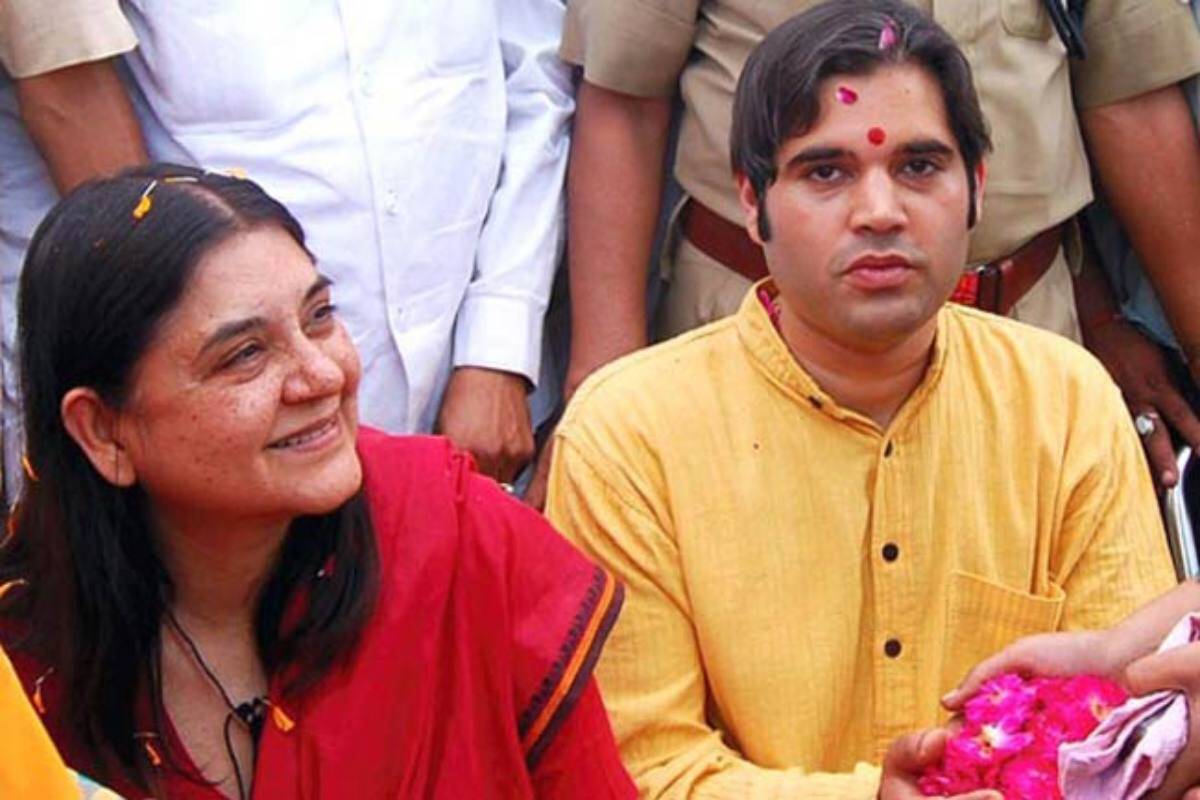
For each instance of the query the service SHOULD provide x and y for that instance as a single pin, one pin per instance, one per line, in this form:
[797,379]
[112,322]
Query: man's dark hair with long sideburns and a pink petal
[778,93]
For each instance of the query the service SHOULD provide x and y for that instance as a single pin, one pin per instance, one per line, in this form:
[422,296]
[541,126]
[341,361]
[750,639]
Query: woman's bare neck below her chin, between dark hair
[219,573]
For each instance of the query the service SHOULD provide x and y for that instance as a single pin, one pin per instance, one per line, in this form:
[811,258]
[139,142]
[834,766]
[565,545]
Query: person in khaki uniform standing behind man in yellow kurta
[637,55]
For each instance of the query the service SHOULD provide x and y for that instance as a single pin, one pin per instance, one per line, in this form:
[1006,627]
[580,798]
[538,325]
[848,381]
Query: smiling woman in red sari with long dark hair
[226,587]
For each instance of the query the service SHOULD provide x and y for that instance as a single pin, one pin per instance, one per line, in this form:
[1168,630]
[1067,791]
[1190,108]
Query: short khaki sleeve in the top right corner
[1135,47]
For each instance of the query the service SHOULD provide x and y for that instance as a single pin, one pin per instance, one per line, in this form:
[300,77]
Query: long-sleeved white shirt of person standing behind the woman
[422,143]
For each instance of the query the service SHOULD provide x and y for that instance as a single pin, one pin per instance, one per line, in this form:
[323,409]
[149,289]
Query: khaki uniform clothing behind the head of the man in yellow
[1039,173]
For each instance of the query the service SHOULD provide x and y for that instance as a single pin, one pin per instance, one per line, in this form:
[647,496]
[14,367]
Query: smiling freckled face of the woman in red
[244,405]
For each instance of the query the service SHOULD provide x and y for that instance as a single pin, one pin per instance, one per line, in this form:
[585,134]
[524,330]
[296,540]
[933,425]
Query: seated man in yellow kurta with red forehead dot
[829,507]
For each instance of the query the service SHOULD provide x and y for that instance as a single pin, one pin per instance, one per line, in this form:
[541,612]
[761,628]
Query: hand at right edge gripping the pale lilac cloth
[1175,670]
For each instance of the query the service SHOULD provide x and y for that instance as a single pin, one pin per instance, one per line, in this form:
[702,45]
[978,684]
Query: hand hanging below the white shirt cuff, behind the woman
[485,413]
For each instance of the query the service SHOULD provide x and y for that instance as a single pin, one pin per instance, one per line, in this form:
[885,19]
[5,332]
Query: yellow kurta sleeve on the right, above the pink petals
[1113,555]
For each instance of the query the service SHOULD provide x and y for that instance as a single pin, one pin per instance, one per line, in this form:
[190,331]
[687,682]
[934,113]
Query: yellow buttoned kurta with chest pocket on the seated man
[802,587]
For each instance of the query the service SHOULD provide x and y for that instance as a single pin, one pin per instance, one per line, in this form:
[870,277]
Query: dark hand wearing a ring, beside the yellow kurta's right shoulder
[1139,369]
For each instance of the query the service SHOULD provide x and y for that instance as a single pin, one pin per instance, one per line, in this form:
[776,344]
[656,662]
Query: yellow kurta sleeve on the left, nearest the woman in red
[651,672]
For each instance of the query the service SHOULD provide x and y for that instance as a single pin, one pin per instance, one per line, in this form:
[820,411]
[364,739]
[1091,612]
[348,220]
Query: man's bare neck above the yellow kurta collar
[874,383]
